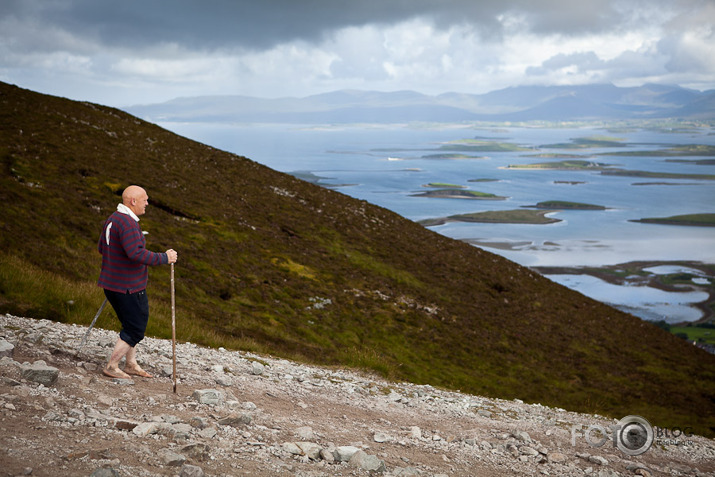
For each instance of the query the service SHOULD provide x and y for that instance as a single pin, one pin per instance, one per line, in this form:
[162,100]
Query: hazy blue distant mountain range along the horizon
[523,103]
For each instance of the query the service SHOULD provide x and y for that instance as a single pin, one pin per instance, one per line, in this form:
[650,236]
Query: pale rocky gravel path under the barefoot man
[236,413]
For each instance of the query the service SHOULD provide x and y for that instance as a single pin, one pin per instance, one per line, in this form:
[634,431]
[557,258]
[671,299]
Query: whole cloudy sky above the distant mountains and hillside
[127,52]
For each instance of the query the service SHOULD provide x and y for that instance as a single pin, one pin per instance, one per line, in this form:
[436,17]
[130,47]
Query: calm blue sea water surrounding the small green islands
[388,165]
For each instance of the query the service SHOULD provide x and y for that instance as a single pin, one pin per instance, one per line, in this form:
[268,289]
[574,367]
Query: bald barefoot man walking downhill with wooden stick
[124,276]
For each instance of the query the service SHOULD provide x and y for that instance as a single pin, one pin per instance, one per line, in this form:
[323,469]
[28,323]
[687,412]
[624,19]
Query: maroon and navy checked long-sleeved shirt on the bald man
[125,257]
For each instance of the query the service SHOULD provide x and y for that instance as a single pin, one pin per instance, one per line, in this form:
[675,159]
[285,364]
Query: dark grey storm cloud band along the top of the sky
[260,24]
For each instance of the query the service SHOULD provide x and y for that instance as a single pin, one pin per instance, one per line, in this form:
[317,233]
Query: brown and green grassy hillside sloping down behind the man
[277,265]
